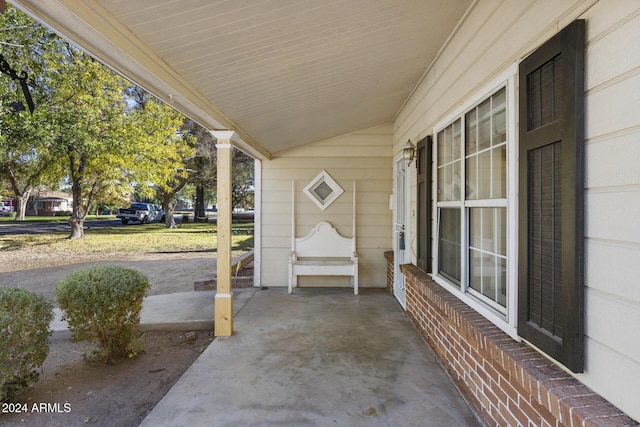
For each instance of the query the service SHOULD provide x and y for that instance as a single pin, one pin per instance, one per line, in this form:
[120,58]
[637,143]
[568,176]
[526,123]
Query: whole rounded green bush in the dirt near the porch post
[102,305]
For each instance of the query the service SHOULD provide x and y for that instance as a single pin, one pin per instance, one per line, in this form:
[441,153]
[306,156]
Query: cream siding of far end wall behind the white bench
[363,156]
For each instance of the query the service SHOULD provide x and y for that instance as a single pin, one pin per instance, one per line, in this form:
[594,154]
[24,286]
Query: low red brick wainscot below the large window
[508,383]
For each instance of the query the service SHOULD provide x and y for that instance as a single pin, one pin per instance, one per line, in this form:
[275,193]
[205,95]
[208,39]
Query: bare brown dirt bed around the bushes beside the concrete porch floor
[74,392]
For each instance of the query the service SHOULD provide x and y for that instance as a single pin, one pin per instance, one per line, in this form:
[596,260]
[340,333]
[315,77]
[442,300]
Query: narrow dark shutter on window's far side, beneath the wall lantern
[424,166]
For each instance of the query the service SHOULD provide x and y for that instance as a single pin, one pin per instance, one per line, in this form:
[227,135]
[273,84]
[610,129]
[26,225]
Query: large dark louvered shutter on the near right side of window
[551,180]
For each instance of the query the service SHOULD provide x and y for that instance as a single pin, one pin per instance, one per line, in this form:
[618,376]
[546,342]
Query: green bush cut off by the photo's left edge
[24,339]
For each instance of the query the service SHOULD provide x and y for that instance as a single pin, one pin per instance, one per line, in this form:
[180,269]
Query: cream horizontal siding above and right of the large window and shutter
[496,34]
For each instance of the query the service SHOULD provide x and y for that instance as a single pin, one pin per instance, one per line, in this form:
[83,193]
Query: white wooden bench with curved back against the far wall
[323,252]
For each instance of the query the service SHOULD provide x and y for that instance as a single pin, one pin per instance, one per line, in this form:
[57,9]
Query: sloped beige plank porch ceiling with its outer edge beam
[281,73]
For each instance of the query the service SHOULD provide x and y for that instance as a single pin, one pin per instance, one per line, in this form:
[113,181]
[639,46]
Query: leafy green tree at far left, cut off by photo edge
[24,158]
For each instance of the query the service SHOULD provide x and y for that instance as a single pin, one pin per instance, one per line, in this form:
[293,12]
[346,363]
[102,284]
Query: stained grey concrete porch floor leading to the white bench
[318,357]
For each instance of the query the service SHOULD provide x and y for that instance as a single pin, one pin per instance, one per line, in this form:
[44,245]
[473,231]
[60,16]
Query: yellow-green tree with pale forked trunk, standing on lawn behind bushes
[91,136]
